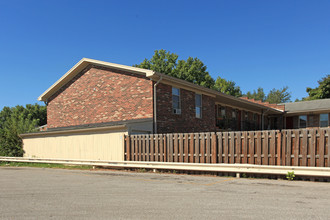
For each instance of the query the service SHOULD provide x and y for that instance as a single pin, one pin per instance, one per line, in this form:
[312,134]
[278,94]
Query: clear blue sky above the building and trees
[254,43]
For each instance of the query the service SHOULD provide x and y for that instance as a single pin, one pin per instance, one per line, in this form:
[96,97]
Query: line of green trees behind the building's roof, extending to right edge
[195,71]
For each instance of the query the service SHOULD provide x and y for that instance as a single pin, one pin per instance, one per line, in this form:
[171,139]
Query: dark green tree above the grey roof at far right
[320,92]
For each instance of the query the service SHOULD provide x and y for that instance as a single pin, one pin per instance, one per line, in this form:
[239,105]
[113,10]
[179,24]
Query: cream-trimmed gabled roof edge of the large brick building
[83,63]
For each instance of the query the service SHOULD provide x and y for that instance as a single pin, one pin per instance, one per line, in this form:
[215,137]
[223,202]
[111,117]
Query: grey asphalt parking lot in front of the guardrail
[39,193]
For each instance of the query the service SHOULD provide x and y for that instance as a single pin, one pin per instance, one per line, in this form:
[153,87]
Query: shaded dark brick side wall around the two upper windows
[168,122]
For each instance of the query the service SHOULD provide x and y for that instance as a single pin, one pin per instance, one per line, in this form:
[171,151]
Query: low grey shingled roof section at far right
[308,106]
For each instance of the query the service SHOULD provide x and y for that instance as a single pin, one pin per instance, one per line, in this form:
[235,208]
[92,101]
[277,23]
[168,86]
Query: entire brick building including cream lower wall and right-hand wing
[92,107]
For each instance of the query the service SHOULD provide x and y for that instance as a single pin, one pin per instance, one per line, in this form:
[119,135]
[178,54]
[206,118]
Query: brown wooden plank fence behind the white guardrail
[301,147]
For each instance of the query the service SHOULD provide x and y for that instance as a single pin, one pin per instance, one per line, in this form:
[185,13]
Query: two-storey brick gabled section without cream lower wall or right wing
[96,93]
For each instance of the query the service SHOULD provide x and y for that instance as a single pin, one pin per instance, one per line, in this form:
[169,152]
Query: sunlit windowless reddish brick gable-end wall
[98,95]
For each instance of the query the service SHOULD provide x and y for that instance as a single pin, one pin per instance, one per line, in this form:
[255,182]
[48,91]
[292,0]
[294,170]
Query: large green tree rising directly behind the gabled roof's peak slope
[192,69]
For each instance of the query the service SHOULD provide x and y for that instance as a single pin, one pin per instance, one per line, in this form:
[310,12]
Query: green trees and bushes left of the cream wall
[15,121]
